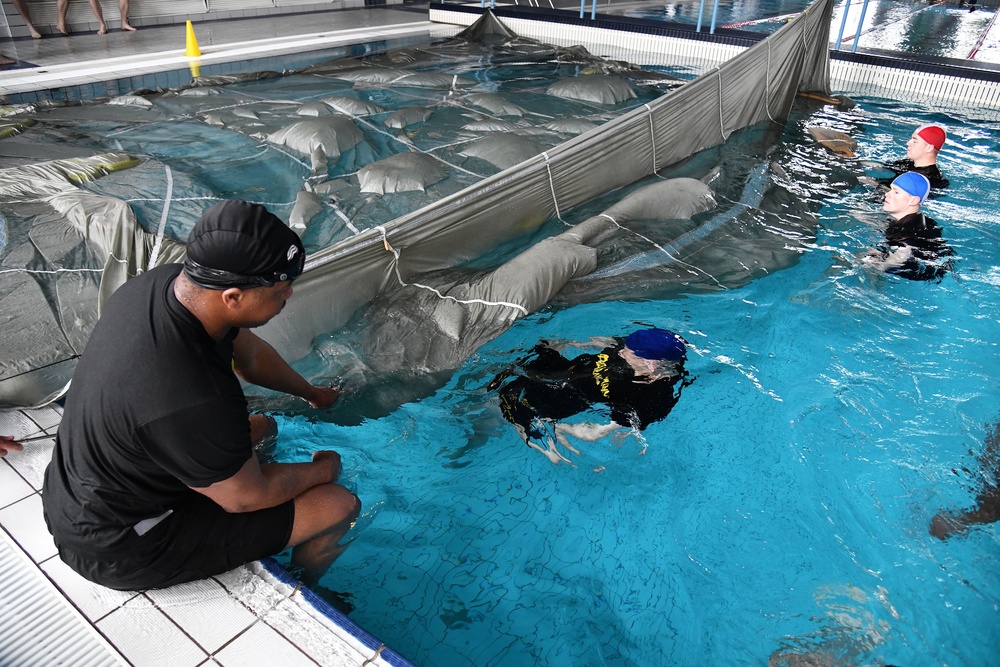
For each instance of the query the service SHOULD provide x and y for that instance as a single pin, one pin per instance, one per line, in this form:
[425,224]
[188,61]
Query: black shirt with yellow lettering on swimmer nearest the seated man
[547,385]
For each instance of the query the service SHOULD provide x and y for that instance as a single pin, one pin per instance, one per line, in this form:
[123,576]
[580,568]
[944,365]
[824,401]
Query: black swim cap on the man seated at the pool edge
[239,244]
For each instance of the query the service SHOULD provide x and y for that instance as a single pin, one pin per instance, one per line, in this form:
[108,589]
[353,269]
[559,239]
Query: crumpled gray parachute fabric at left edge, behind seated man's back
[59,270]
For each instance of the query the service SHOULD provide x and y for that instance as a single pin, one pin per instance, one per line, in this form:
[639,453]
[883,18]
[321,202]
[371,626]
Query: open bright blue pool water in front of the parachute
[782,508]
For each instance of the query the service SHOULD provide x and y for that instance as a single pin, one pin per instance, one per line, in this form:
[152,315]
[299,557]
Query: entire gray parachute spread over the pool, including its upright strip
[382,220]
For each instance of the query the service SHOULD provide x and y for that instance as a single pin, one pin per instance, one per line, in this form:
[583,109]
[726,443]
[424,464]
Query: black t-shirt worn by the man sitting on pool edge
[154,408]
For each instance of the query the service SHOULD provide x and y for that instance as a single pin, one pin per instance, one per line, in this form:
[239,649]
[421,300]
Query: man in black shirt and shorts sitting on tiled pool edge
[153,480]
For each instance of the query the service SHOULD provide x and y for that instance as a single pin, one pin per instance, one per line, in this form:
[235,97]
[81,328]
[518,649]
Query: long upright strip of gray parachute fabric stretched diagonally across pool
[757,85]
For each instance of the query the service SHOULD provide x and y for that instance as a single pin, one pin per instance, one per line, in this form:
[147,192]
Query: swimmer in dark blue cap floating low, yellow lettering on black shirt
[639,378]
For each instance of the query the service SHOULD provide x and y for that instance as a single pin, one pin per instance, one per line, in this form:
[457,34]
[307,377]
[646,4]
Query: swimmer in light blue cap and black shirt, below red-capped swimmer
[913,246]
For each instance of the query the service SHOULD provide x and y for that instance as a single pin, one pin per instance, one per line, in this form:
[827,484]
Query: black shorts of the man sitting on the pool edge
[197,540]
